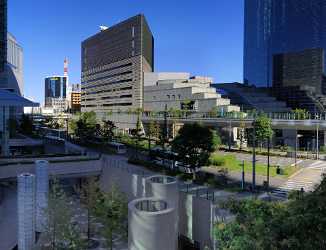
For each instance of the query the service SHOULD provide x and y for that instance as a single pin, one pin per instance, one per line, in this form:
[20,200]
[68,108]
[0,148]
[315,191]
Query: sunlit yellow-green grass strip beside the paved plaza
[234,165]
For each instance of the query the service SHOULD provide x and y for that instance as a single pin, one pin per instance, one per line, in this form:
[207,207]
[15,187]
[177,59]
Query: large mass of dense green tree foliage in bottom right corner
[296,224]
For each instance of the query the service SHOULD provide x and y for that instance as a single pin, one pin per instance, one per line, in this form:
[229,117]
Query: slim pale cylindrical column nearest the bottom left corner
[26,211]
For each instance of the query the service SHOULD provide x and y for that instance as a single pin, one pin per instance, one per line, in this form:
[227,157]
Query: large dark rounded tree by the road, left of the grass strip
[194,144]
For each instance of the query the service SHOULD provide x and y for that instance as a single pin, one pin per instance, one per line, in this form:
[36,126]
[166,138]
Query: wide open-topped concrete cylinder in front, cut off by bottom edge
[151,225]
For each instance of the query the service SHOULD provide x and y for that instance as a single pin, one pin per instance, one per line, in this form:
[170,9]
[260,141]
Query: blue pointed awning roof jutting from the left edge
[11,99]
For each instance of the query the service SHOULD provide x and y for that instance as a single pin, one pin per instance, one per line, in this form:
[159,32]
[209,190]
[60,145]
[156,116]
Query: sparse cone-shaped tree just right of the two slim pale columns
[60,229]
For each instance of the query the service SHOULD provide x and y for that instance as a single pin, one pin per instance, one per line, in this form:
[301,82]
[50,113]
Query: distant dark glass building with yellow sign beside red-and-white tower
[55,87]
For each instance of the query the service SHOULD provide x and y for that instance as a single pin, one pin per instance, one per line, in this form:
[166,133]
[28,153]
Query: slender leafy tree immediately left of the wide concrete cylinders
[113,213]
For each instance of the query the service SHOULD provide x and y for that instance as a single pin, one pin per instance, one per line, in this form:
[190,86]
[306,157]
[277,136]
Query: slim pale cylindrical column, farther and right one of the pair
[42,192]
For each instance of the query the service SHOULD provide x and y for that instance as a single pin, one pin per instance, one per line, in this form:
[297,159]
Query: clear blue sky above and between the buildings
[201,37]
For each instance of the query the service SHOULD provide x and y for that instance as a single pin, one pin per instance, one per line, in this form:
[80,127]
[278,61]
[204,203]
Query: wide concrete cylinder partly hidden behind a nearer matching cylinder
[165,188]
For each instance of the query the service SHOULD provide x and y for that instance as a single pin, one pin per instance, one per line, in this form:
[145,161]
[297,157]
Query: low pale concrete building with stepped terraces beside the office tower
[180,91]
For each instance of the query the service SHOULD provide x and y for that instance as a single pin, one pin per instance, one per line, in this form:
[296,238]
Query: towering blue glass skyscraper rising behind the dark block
[279,26]
